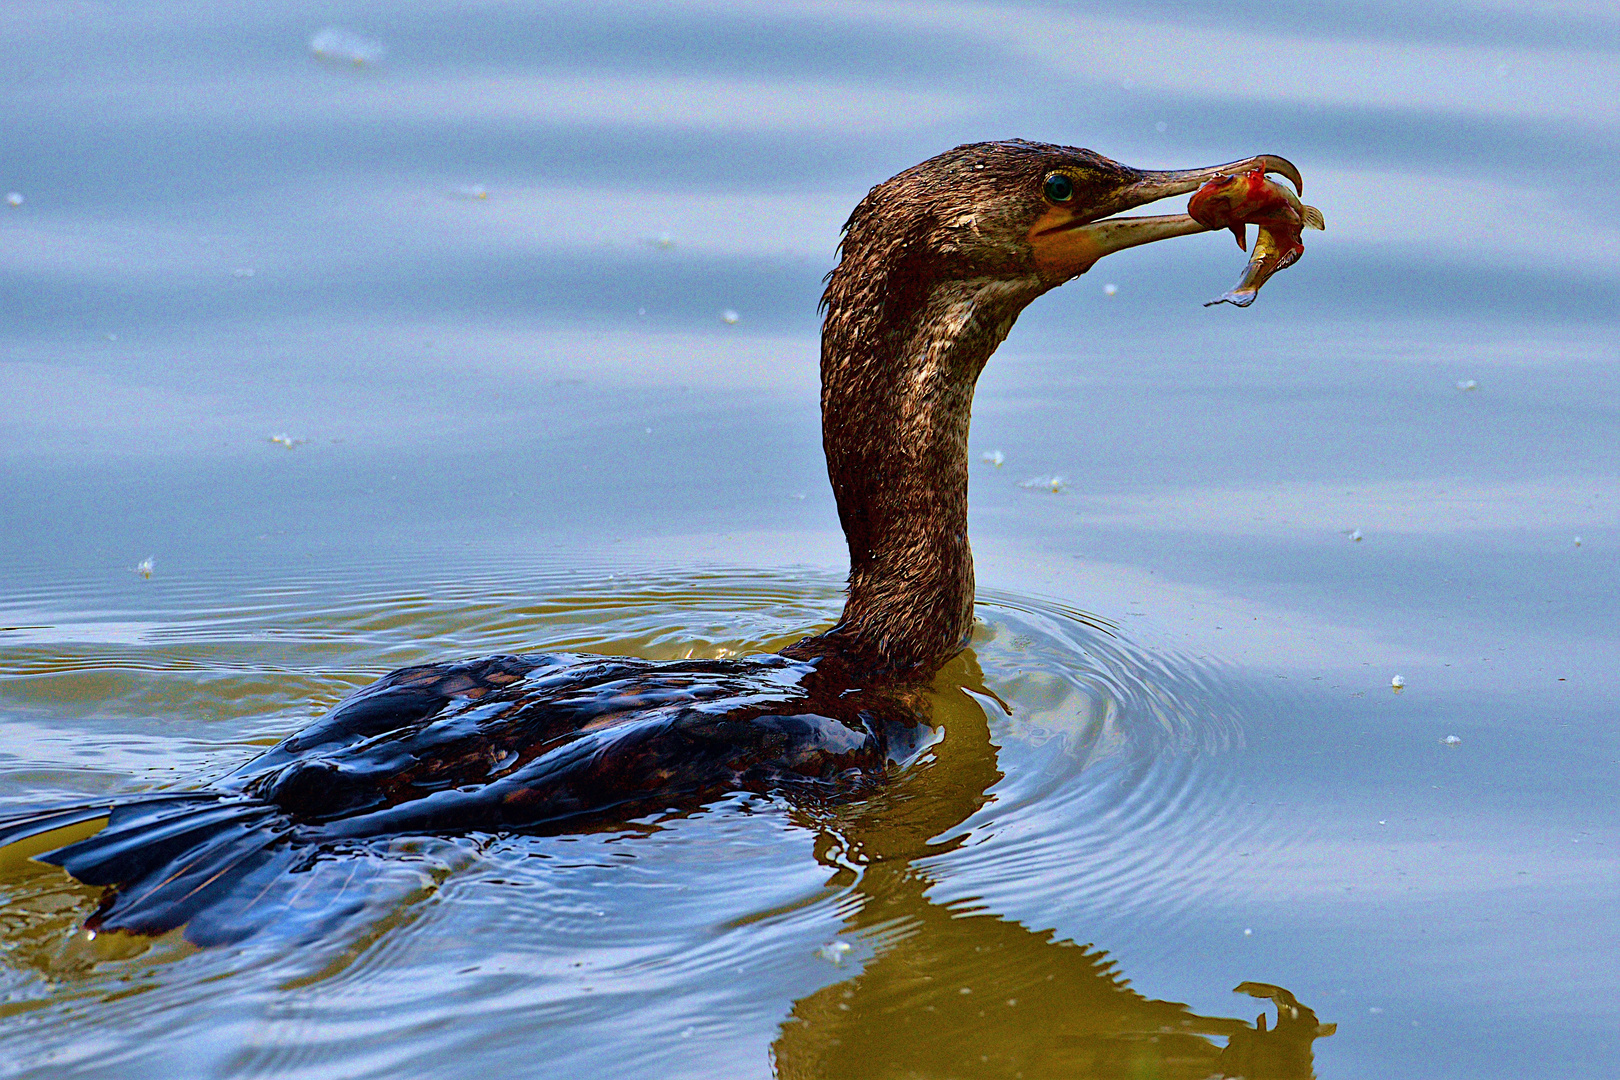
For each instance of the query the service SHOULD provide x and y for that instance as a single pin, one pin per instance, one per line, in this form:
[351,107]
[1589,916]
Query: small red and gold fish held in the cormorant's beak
[1277,215]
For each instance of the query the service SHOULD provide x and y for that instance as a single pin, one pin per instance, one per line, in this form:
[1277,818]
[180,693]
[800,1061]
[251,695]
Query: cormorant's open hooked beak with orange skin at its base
[1070,240]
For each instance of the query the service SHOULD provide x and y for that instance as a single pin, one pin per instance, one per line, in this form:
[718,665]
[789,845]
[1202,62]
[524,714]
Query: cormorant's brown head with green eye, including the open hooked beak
[1018,211]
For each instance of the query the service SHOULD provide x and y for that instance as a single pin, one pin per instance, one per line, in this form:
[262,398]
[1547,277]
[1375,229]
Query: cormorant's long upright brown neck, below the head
[898,375]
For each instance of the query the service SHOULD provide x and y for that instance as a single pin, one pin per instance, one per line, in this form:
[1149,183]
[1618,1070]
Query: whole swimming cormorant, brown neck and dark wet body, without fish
[937,265]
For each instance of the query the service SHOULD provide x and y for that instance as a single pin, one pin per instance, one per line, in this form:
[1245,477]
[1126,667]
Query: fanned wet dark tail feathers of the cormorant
[202,861]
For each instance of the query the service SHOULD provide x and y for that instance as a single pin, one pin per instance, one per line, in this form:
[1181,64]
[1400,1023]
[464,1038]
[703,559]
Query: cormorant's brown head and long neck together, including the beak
[936,266]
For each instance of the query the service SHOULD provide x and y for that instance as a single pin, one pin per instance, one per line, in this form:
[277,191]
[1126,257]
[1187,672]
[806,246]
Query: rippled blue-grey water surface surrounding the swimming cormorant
[475,287]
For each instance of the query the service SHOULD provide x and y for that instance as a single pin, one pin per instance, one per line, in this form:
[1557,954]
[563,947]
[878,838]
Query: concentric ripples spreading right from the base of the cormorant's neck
[1114,799]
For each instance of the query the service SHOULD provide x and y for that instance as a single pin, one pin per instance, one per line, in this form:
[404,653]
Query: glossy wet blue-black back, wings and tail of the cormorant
[509,742]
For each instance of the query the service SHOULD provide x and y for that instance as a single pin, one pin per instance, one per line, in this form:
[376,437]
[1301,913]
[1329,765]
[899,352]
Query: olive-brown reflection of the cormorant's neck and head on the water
[957,992]
